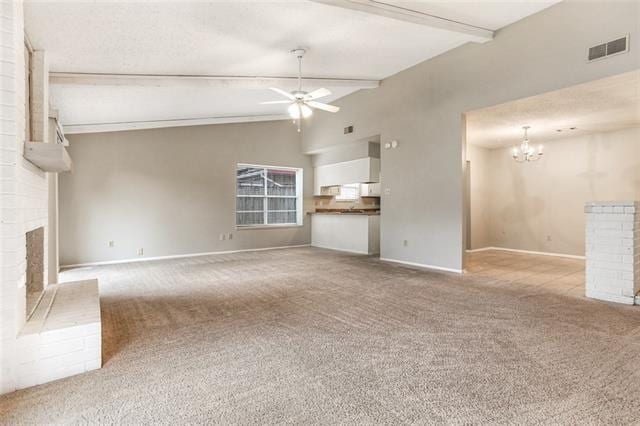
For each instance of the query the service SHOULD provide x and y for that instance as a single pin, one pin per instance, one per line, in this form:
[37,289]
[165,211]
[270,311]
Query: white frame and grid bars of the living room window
[265,210]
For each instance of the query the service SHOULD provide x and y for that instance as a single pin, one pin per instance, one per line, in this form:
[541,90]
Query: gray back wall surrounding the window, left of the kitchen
[170,191]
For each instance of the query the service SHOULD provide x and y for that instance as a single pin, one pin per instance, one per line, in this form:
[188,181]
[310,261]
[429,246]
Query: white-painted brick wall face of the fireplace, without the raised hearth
[23,189]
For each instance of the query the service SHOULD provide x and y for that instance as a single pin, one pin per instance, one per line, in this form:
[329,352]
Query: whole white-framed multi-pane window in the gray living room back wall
[268,196]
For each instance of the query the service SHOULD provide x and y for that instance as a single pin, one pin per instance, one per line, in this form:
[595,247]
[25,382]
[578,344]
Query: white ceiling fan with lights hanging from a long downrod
[301,102]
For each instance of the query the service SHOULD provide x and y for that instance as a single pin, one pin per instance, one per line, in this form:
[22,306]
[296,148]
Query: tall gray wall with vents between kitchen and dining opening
[422,108]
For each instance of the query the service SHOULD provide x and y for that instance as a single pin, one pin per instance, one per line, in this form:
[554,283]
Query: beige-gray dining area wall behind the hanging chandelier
[540,206]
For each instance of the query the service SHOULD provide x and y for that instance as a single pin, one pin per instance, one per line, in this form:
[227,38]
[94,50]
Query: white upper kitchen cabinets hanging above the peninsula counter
[362,170]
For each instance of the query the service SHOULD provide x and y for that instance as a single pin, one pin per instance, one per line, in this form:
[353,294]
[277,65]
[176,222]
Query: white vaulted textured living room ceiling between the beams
[234,38]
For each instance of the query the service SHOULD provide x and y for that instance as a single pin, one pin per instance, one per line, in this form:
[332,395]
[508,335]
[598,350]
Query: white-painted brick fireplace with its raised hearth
[47,331]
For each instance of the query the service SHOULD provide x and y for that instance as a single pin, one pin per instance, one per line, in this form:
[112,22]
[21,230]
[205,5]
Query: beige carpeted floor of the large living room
[313,336]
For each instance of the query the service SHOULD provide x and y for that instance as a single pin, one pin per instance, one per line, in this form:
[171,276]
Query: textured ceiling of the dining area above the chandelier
[608,104]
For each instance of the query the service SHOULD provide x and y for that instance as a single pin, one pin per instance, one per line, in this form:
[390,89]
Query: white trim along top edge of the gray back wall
[72,129]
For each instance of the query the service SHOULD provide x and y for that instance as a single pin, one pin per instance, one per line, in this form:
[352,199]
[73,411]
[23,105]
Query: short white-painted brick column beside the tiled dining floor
[613,251]
